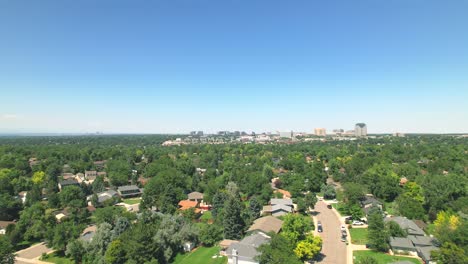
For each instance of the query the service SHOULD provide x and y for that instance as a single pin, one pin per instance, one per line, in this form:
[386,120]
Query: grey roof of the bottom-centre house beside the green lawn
[247,247]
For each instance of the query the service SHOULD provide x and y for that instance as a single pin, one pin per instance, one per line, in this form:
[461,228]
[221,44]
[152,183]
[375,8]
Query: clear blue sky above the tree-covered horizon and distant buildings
[176,66]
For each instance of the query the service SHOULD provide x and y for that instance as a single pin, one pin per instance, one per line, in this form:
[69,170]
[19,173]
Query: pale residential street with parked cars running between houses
[333,249]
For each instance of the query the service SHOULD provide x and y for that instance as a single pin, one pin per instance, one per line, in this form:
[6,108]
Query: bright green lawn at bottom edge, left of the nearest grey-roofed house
[202,255]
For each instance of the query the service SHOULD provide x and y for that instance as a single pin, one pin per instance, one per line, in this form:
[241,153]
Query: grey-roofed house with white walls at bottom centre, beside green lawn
[245,251]
